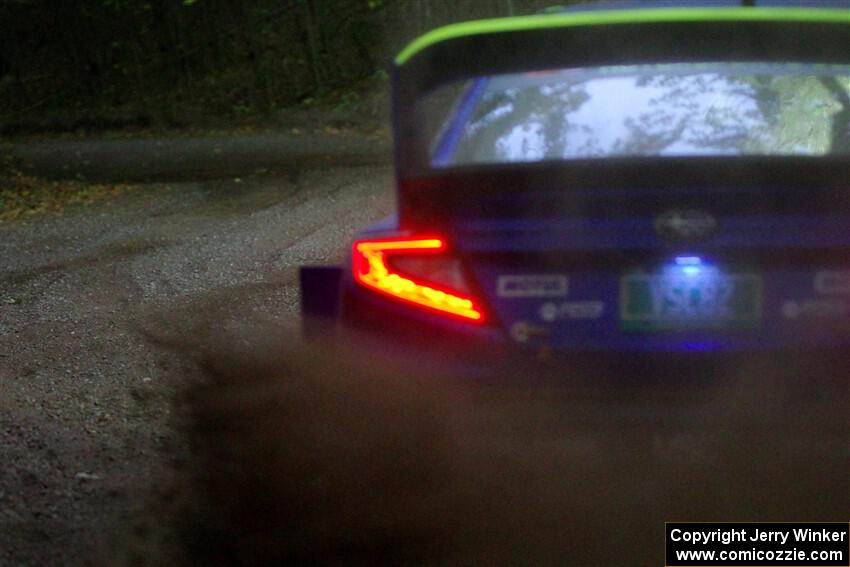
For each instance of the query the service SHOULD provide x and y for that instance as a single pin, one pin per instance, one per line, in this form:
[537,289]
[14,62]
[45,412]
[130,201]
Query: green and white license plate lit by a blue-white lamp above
[678,301]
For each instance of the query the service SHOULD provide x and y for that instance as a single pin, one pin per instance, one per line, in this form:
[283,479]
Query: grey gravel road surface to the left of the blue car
[85,400]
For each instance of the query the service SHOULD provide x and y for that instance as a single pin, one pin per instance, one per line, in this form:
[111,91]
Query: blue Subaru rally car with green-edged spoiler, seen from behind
[672,179]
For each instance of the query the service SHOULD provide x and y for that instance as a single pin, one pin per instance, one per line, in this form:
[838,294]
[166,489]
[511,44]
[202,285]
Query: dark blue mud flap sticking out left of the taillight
[319,299]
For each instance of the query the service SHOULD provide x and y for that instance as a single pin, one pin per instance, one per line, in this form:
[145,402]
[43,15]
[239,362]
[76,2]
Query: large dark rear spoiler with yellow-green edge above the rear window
[624,37]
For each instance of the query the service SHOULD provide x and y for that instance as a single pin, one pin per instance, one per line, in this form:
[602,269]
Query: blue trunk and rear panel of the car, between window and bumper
[568,257]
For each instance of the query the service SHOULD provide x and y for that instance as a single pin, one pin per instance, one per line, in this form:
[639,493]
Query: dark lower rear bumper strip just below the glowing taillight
[486,352]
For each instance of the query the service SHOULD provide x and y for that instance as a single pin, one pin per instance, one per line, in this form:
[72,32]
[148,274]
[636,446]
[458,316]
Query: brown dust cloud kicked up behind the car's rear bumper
[334,454]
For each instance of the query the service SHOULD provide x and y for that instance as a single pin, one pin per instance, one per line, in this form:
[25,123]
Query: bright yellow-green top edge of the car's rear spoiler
[614,17]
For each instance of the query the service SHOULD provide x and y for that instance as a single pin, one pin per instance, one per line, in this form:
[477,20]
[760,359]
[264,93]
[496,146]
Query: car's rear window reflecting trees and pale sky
[670,110]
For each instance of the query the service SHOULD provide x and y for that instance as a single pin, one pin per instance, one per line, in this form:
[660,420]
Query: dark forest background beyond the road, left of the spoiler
[107,64]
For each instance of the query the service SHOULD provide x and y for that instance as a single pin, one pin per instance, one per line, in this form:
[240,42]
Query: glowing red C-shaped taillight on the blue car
[372,269]
